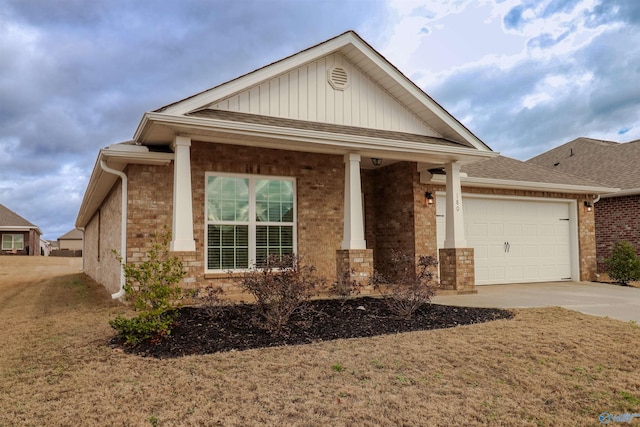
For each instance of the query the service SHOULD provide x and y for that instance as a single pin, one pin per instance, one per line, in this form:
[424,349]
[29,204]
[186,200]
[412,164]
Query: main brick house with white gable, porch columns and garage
[333,154]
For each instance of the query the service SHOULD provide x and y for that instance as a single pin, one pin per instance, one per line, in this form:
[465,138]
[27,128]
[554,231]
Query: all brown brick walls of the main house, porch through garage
[396,215]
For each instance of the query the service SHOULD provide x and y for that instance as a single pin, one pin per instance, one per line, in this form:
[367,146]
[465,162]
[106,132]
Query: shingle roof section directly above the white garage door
[506,168]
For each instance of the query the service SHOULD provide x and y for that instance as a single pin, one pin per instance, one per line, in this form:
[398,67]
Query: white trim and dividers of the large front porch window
[252,223]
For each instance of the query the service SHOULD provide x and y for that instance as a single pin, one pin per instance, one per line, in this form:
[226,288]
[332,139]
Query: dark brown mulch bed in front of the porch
[238,327]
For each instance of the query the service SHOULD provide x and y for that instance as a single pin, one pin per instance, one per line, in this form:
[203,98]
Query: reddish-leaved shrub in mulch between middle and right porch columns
[412,285]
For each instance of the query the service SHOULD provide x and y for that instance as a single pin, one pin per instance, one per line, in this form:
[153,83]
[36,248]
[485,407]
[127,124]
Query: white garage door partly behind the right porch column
[515,241]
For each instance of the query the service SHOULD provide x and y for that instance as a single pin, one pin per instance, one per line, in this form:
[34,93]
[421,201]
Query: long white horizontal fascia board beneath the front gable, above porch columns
[332,142]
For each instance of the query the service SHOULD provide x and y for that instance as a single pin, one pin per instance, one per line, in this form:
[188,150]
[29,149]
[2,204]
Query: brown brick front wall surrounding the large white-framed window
[319,190]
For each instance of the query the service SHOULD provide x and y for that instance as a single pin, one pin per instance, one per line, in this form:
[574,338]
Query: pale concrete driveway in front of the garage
[598,299]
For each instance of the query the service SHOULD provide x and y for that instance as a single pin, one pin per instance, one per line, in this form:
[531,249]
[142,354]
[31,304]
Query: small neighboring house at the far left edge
[18,236]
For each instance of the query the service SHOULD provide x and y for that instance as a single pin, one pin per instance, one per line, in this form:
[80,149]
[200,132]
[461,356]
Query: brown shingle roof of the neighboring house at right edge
[606,162]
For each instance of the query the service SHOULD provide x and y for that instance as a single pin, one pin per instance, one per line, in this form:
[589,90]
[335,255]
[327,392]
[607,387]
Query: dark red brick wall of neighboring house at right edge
[616,218]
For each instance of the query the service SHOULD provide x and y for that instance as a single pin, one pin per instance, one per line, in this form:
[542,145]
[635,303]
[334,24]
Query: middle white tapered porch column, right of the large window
[353,219]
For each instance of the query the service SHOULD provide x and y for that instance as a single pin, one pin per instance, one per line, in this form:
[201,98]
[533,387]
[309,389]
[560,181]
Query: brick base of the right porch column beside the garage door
[457,271]
